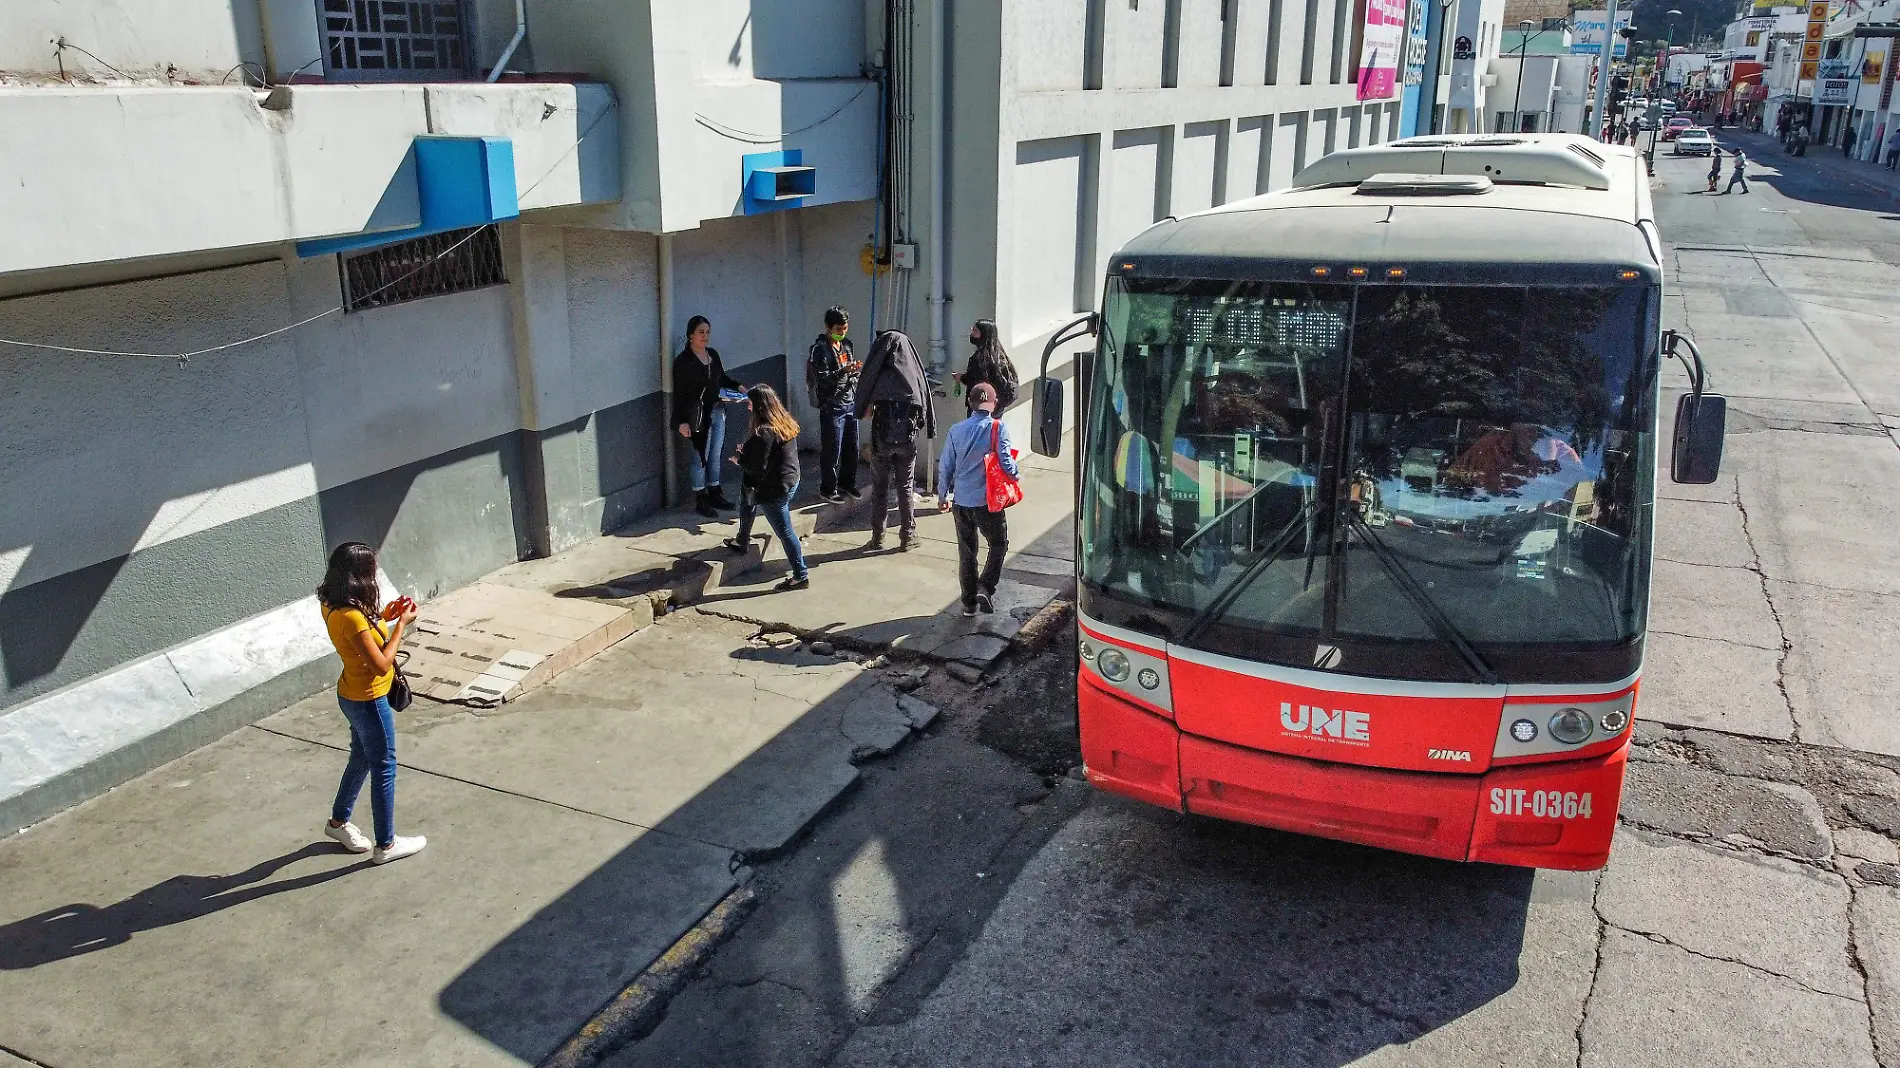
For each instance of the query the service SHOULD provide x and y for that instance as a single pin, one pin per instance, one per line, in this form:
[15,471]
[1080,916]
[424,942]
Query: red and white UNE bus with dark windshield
[1365,499]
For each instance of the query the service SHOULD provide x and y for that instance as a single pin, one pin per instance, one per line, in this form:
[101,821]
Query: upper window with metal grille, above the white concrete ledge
[394,41]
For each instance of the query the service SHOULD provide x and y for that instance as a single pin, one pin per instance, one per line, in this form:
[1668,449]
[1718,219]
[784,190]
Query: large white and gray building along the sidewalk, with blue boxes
[434,311]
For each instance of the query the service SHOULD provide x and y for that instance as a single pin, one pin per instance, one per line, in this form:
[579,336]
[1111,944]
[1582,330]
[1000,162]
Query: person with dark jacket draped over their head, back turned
[896,398]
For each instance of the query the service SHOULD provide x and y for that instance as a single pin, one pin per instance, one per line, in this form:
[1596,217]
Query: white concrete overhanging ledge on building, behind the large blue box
[85,189]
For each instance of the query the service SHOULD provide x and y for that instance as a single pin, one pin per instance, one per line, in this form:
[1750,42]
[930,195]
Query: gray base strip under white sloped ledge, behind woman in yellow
[166,746]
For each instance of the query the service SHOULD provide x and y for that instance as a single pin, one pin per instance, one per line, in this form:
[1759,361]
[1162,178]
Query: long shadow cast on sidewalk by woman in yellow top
[75,930]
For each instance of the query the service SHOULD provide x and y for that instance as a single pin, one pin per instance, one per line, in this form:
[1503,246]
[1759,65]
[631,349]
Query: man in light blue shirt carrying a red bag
[960,476]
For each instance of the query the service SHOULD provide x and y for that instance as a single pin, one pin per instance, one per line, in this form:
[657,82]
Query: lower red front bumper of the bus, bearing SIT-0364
[1546,816]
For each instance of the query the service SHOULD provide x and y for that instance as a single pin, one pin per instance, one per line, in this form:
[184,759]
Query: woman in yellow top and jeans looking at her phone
[351,603]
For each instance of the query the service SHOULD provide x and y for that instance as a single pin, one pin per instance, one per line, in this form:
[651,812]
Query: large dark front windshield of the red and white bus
[1388,480]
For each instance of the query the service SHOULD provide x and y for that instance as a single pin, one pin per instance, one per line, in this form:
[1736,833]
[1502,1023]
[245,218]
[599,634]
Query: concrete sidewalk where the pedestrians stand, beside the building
[195,915]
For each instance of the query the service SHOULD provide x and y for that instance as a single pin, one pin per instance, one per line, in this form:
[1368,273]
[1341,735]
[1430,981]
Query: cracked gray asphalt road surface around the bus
[972,904]
